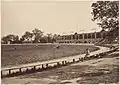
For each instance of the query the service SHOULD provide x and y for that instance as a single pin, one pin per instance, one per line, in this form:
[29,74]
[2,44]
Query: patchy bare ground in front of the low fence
[103,70]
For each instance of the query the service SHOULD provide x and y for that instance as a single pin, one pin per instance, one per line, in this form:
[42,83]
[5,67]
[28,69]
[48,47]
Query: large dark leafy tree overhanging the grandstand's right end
[106,13]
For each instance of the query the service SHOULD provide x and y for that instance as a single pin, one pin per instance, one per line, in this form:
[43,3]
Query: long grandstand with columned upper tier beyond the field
[82,38]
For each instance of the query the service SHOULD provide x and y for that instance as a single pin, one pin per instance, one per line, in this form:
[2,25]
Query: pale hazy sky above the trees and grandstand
[51,17]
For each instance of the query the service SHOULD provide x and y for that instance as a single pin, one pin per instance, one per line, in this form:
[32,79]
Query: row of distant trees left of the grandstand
[36,36]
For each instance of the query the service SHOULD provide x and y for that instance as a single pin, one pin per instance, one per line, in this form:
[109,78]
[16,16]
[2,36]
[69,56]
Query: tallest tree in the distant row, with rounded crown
[37,35]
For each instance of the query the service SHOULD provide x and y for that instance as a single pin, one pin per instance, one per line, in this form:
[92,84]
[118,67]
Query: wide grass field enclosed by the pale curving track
[12,55]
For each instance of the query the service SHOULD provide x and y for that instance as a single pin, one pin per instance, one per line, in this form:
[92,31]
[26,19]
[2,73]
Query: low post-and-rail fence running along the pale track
[46,66]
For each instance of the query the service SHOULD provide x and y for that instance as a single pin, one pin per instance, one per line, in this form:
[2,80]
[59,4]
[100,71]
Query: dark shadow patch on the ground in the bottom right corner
[100,77]
